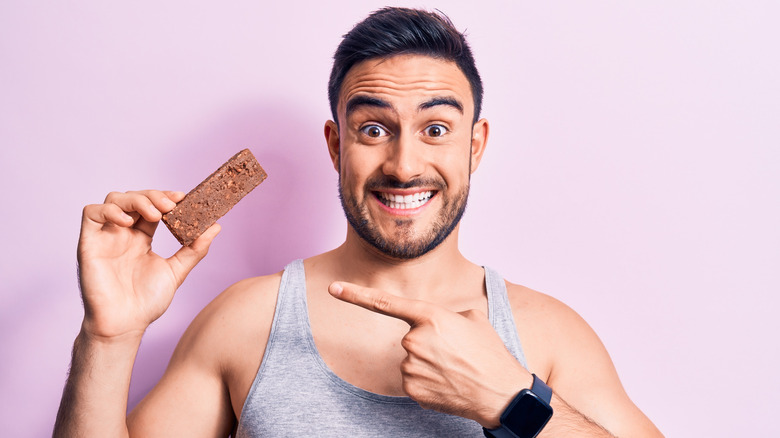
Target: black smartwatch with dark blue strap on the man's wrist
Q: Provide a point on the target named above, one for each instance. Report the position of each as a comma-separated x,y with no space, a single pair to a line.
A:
526,415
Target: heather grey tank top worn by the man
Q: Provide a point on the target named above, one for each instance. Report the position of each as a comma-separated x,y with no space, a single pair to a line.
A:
295,393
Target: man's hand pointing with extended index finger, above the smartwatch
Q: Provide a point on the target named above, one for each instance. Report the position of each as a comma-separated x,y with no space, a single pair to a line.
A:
456,363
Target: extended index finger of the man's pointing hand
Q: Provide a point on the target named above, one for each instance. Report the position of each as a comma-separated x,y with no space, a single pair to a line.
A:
413,312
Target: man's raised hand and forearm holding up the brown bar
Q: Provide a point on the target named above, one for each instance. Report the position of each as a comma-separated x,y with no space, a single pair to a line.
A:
125,287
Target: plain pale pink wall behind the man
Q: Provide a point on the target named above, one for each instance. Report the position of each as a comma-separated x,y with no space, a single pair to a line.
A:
632,172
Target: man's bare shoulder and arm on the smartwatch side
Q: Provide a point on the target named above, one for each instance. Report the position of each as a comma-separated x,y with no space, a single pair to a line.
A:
588,396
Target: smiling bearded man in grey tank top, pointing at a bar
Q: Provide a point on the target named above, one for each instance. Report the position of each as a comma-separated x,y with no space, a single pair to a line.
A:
393,333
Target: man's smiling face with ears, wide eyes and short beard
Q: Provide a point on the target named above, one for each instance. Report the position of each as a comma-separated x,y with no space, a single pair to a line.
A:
404,151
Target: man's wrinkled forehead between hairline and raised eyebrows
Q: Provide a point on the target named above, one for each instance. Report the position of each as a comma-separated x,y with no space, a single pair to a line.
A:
406,79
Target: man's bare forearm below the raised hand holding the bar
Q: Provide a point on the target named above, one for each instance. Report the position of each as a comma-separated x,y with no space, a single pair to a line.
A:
94,401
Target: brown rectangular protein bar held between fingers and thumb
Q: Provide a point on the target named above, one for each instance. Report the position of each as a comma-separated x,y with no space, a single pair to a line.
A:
214,197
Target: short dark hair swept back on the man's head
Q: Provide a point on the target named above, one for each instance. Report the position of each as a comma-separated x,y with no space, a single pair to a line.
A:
395,31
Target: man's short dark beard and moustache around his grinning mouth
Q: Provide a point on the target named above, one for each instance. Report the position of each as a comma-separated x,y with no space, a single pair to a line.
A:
404,244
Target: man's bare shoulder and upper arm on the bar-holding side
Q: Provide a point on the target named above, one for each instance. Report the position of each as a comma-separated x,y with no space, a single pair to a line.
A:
204,387
